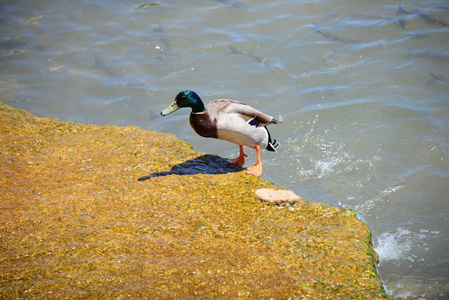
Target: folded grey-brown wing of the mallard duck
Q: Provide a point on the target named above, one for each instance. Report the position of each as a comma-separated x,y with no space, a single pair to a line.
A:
247,112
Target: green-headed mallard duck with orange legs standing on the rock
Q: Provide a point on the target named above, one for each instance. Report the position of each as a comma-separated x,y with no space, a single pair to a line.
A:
229,120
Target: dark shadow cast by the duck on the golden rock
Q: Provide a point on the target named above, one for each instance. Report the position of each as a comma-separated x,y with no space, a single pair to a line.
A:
206,164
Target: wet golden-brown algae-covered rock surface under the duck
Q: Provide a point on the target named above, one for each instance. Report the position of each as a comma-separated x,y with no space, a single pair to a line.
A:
119,212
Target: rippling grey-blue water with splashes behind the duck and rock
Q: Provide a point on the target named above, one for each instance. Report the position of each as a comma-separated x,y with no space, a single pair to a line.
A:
365,101
